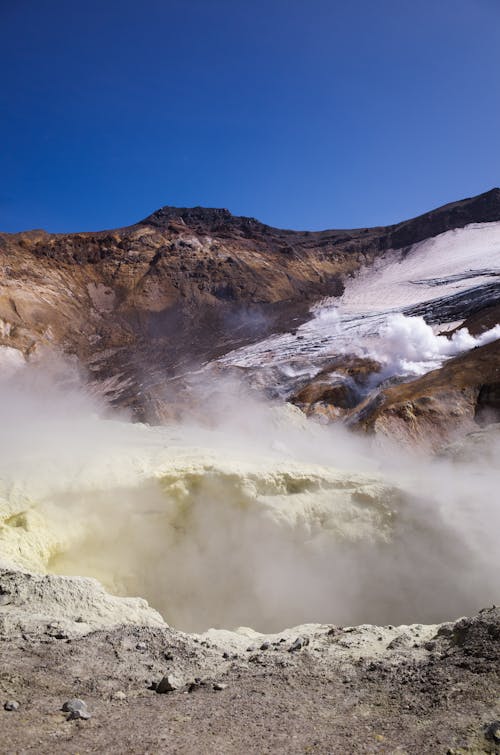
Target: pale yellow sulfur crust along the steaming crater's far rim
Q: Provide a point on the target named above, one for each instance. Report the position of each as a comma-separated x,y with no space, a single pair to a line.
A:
308,498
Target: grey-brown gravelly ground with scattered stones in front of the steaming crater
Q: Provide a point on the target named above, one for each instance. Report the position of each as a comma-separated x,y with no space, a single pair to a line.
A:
128,683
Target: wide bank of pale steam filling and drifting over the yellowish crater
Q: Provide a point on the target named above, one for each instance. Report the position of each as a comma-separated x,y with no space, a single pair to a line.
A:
250,515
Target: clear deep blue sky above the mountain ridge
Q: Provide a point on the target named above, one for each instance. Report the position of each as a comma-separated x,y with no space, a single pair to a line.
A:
302,113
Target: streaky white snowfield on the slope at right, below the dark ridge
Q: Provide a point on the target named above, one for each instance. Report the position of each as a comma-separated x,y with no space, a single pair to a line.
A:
363,318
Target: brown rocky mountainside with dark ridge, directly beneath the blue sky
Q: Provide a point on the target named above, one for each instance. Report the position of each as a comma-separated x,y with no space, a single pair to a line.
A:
140,304
